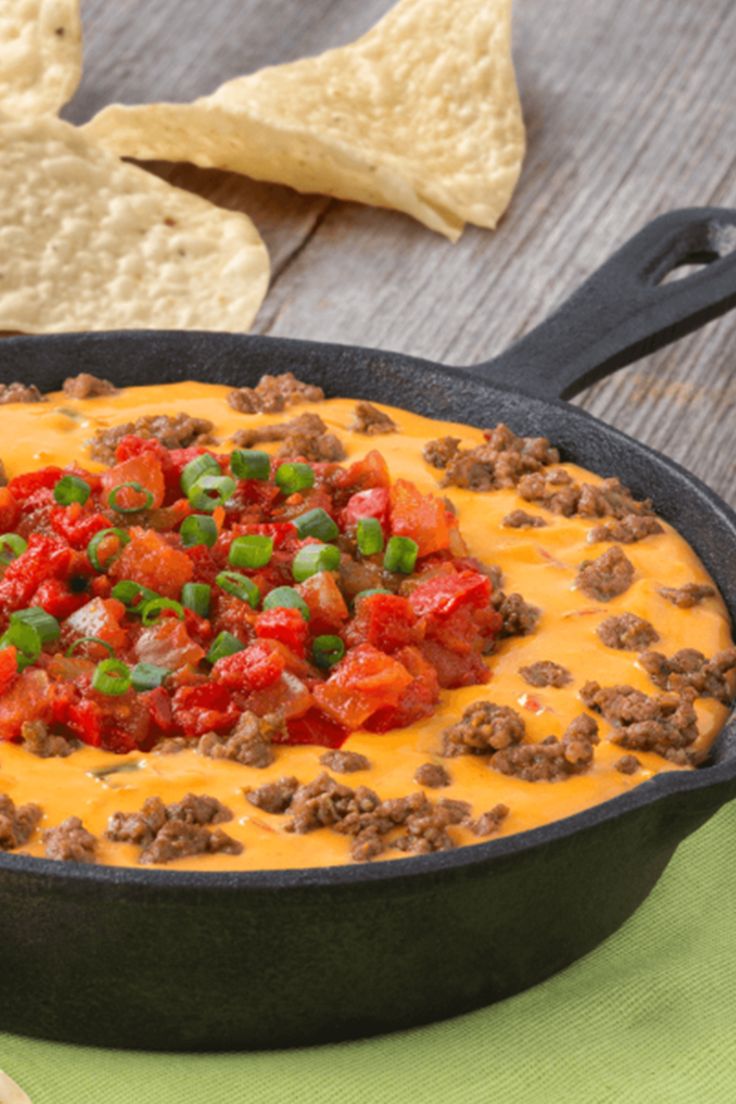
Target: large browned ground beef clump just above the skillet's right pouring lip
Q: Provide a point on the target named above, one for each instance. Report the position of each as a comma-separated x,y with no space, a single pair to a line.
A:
665,724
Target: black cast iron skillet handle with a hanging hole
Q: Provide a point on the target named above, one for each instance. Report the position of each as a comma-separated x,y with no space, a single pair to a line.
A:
625,312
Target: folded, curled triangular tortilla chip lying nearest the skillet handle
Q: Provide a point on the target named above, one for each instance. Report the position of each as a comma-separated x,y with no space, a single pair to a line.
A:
422,114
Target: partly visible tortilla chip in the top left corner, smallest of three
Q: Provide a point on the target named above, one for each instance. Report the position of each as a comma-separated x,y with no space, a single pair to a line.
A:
40,56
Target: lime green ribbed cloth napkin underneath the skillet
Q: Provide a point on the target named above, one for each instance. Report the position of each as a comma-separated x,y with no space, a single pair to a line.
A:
649,1017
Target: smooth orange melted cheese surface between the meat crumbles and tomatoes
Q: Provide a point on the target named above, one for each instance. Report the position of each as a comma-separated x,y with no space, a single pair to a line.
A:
539,564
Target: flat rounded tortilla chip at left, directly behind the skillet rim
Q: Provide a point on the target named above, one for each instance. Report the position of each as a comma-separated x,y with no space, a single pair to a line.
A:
91,243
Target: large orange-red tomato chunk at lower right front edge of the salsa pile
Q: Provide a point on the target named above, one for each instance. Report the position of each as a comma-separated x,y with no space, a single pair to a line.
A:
362,683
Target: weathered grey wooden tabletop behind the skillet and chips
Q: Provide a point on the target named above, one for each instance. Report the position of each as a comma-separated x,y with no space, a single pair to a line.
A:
631,112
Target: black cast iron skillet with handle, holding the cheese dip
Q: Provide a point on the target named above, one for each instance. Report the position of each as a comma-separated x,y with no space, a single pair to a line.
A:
196,961
